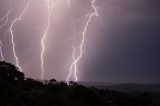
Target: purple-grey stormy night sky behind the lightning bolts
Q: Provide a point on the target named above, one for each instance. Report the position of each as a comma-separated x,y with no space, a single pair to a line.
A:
122,45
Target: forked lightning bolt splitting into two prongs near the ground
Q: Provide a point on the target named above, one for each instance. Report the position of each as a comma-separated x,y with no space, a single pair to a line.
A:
76,59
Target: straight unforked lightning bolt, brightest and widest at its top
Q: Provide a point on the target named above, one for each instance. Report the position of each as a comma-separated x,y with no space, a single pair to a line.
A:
50,6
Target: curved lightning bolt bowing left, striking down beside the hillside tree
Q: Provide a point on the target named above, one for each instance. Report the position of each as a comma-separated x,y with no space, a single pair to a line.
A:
12,35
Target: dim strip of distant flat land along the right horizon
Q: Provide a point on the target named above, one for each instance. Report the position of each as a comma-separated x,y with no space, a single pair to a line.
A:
124,87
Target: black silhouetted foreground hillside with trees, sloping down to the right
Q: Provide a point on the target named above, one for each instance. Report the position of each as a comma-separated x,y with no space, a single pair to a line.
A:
16,90
